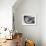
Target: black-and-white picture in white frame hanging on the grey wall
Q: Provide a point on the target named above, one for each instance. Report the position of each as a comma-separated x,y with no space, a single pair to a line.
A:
28,20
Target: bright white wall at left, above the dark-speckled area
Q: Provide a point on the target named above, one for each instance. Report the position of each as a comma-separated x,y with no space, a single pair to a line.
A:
6,13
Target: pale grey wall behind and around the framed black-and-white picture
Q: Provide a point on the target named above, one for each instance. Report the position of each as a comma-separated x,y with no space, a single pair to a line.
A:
32,32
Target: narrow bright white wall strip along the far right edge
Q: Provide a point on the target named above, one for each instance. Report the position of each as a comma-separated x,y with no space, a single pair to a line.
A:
43,22
